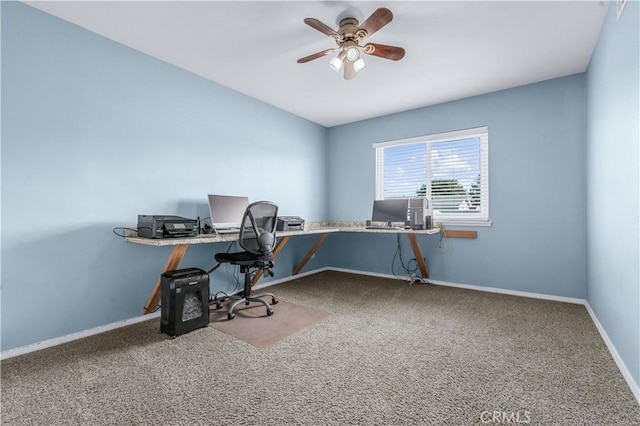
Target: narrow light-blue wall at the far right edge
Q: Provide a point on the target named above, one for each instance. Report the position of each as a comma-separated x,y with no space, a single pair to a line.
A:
613,203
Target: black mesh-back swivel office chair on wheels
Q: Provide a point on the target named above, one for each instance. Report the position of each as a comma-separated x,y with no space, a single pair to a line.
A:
258,239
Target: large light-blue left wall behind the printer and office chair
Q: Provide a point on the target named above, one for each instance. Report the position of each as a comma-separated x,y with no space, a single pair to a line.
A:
94,134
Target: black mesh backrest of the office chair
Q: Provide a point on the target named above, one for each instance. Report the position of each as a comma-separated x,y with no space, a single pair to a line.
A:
258,231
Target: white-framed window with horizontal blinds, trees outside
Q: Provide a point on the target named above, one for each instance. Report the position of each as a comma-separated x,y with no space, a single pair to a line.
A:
451,169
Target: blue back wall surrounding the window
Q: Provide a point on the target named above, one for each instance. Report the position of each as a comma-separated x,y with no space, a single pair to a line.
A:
536,188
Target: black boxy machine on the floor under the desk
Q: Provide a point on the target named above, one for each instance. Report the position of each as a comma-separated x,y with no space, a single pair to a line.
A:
185,301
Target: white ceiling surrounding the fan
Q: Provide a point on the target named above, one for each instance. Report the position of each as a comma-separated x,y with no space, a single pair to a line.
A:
454,49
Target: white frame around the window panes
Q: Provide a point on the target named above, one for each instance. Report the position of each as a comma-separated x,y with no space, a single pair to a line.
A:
474,219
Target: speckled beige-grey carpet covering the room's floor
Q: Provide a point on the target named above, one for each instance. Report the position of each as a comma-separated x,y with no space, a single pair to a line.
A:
389,354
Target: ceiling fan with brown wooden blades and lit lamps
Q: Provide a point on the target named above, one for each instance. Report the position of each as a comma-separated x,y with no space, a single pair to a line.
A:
349,37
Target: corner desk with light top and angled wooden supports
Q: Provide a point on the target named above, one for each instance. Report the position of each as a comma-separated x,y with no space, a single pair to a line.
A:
180,246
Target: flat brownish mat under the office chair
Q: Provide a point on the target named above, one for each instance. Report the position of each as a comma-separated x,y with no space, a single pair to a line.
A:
253,326
